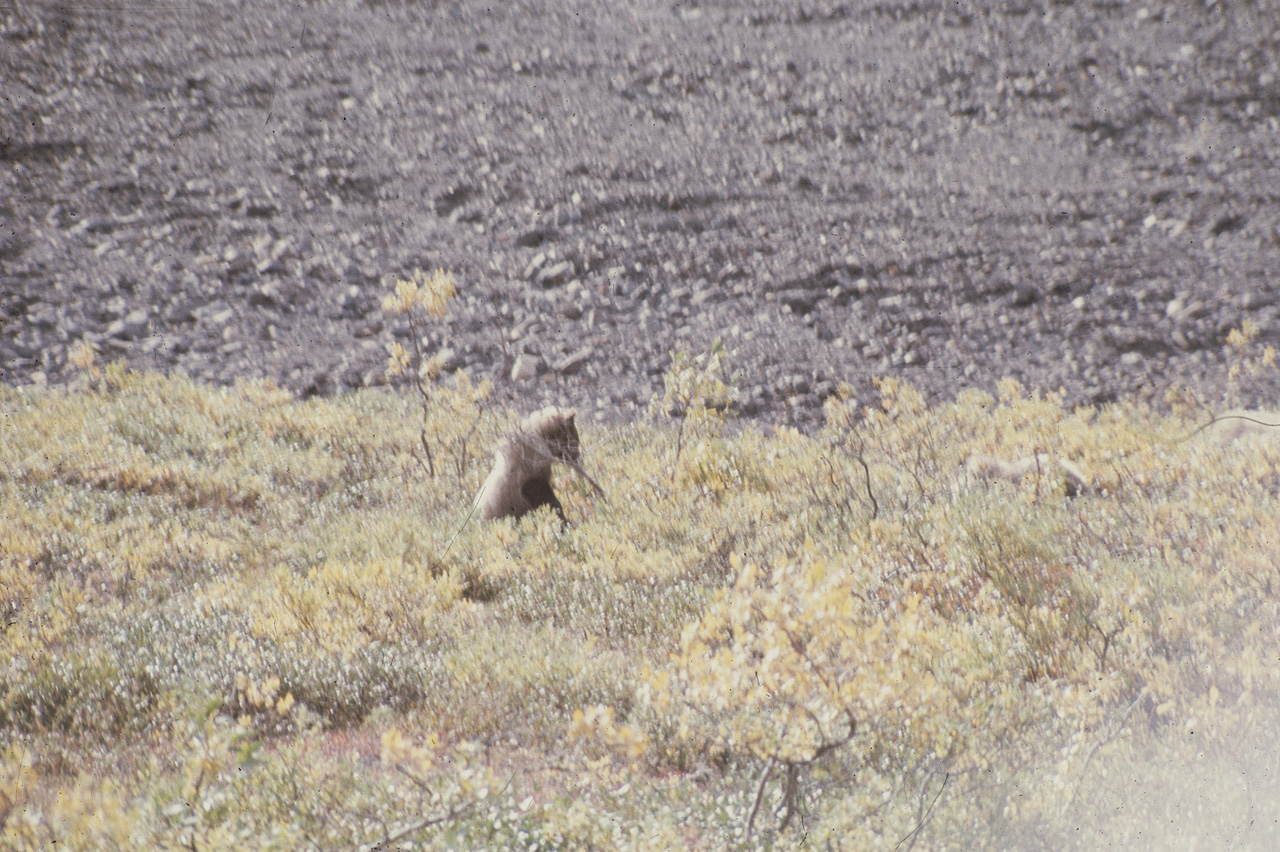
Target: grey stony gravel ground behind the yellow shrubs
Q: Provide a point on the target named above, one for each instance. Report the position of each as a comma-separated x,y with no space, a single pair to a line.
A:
1078,195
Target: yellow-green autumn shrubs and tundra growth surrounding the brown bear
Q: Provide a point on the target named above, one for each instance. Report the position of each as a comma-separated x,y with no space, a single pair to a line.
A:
234,620
